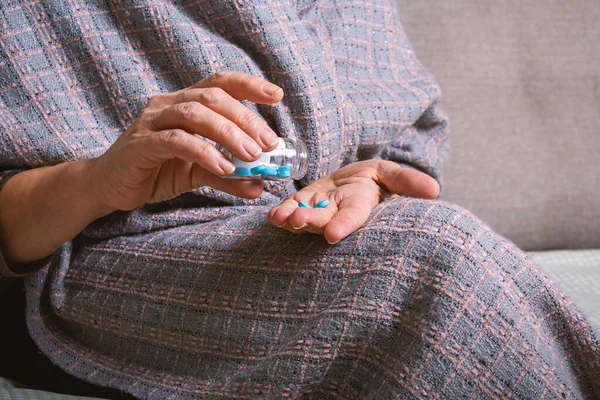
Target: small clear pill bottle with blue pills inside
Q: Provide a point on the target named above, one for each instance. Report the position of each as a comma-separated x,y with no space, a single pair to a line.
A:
288,160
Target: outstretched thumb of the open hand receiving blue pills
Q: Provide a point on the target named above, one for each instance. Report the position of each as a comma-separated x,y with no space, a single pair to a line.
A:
406,181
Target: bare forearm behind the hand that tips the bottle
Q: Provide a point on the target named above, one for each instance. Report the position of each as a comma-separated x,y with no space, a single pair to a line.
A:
43,208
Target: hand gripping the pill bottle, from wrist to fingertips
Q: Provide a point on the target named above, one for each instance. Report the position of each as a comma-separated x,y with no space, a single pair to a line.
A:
163,154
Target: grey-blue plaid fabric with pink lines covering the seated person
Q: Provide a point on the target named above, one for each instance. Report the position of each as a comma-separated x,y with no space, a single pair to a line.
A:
199,297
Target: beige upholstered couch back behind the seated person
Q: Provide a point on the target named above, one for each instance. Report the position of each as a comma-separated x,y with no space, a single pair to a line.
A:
521,83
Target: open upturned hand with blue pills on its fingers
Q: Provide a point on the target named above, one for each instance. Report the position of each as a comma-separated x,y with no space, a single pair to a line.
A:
353,191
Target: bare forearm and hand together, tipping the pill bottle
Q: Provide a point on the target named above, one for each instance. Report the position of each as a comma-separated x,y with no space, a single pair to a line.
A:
159,157
